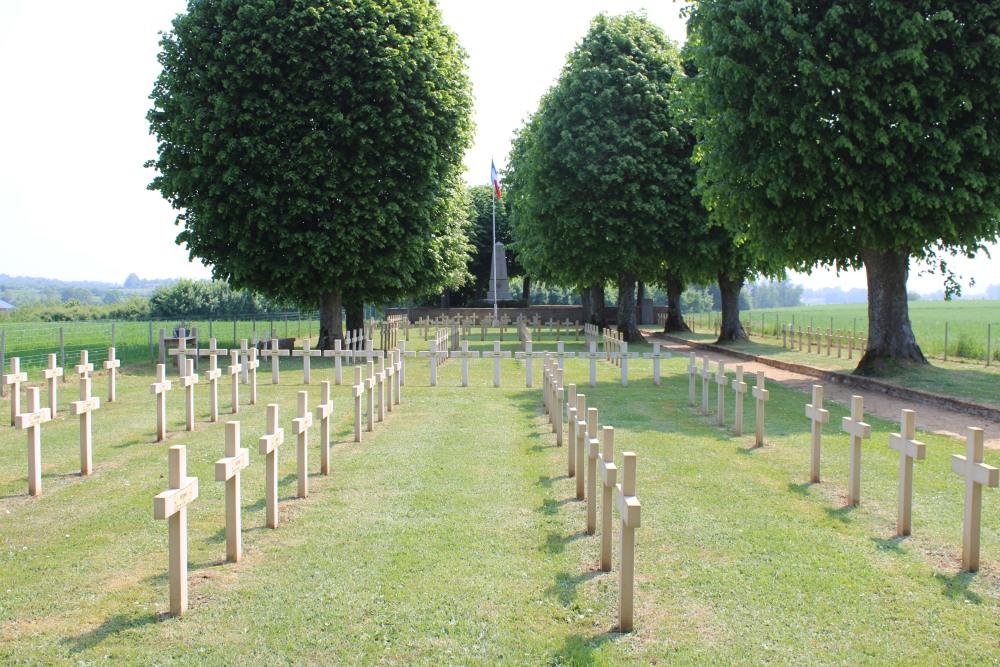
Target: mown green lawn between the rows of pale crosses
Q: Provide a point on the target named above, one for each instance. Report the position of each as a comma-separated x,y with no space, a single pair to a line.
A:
450,536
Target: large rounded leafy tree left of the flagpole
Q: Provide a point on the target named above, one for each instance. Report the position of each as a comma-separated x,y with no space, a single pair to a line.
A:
314,147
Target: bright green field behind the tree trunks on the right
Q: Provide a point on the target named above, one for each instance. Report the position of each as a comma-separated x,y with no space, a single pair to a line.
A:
973,327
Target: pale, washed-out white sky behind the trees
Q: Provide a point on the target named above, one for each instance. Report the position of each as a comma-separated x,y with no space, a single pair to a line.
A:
76,78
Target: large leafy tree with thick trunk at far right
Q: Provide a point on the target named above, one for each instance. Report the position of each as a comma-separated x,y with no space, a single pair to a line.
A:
852,134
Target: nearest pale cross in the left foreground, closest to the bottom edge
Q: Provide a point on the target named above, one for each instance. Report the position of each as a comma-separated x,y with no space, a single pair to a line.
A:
172,505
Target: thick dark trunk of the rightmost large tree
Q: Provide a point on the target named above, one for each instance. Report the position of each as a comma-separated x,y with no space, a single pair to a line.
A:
890,337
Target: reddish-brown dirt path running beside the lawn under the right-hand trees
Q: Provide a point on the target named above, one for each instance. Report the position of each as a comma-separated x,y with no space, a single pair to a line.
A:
929,417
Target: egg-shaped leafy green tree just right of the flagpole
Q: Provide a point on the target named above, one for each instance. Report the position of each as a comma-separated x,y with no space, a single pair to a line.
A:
597,173
